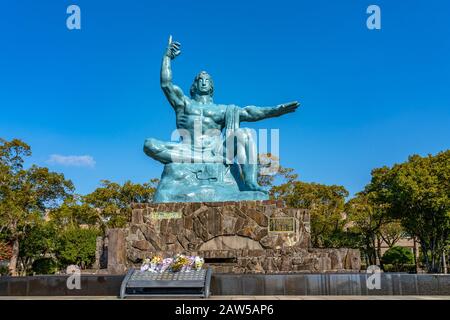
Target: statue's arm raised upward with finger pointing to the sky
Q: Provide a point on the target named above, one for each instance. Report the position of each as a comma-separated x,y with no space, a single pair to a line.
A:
173,93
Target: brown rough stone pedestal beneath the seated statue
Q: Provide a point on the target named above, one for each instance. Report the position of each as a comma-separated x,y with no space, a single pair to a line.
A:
238,237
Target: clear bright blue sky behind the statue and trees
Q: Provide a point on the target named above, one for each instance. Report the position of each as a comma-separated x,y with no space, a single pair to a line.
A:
368,97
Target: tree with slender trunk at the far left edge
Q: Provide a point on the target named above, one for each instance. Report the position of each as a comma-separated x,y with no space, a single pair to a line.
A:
25,194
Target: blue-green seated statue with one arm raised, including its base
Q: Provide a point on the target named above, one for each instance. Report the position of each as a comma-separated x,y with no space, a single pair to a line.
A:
215,159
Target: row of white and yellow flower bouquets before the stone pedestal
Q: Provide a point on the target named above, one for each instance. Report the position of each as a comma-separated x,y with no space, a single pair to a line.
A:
178,263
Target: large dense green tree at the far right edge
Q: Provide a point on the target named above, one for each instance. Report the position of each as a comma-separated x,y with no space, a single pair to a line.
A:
417,193
